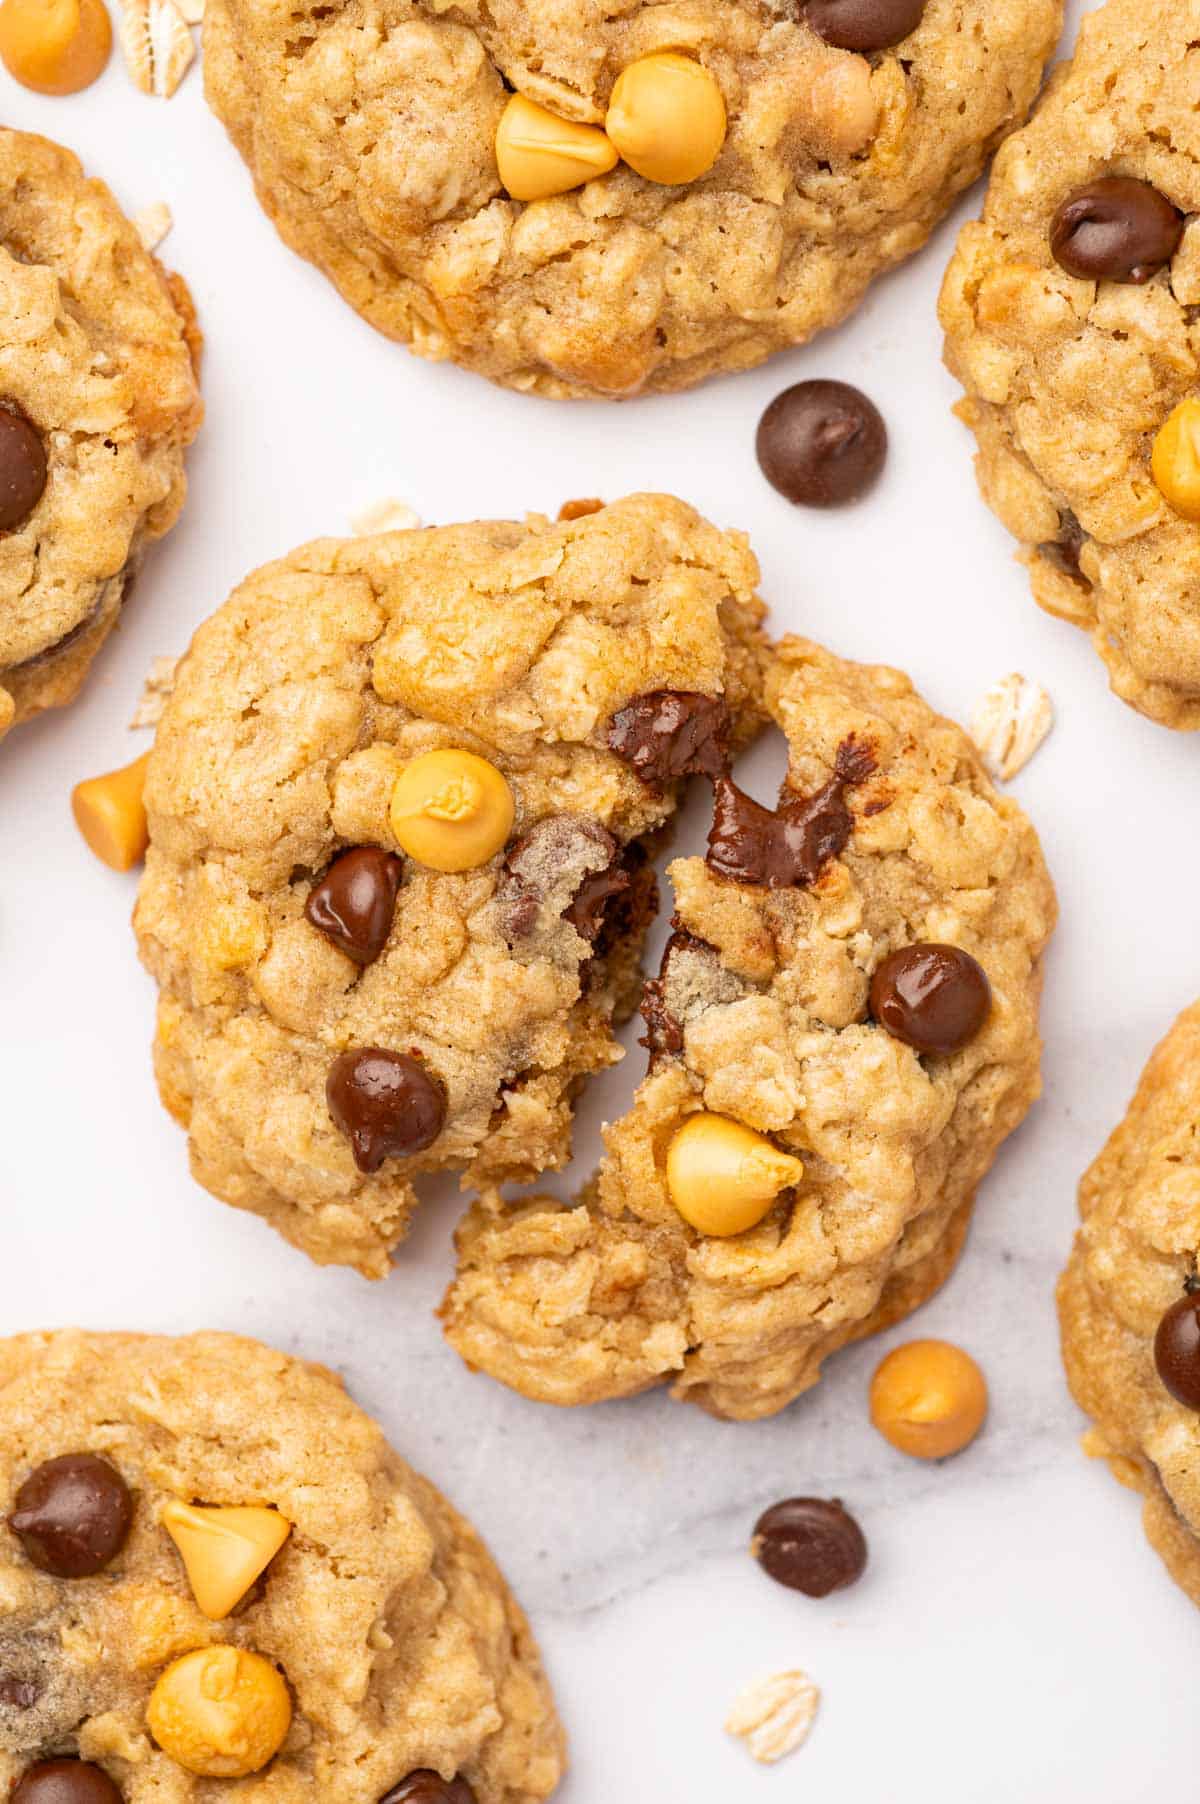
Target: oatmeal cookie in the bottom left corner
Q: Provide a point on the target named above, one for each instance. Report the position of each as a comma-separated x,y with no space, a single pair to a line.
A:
221,1581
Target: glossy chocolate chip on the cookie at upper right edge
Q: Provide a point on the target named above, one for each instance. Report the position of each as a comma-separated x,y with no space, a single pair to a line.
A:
1116,230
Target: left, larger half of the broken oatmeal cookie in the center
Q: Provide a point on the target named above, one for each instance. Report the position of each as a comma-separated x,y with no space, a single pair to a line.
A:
398,879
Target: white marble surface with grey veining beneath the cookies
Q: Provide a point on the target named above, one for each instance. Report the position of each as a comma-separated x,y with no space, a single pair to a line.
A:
1013,1637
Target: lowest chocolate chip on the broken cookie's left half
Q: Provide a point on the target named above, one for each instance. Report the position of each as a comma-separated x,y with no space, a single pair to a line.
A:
385,1103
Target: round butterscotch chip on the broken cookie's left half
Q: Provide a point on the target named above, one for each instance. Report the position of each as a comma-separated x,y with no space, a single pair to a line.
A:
452,811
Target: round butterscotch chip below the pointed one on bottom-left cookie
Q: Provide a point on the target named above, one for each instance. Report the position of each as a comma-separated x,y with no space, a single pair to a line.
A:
221,1713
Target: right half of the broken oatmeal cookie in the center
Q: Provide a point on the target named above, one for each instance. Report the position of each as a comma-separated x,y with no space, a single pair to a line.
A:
844,1033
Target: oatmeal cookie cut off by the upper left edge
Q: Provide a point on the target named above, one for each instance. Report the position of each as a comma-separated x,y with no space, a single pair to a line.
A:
98,403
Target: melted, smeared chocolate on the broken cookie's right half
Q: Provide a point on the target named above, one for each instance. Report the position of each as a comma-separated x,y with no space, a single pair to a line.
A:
791,845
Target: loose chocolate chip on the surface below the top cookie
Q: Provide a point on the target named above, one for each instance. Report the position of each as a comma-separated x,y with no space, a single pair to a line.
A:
822,445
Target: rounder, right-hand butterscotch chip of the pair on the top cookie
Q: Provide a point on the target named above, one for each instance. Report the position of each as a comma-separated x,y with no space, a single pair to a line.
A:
669,118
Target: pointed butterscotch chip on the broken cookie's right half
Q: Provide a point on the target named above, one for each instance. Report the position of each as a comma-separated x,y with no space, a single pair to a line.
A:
725,1177
